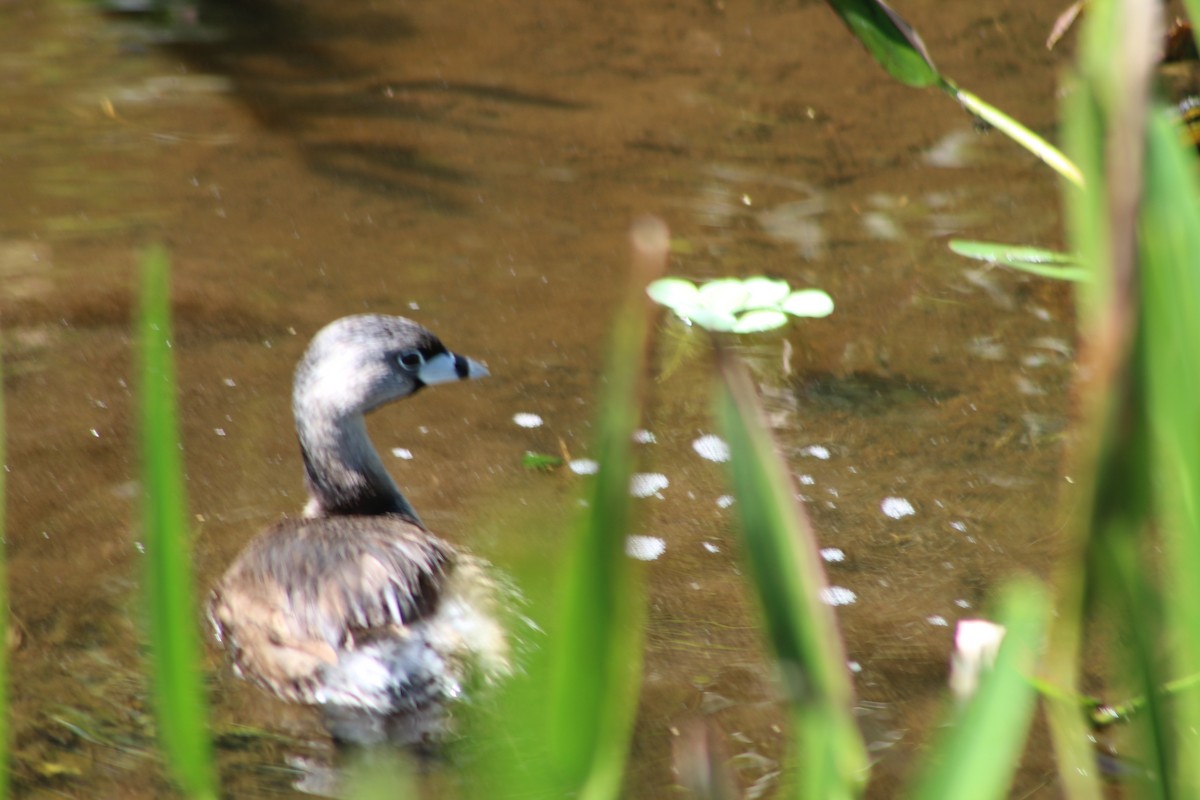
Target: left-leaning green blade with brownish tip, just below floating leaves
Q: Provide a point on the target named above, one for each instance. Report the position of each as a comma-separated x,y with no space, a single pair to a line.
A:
789,579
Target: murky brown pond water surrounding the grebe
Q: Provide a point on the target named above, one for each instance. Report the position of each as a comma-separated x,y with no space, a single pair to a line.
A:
476,166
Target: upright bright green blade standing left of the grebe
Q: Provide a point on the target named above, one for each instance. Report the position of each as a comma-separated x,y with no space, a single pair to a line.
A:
175,643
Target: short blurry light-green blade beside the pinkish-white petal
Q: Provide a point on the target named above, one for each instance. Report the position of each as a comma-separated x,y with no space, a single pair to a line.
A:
975,757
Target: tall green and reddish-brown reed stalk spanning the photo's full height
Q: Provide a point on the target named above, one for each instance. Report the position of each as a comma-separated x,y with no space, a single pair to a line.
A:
1103,123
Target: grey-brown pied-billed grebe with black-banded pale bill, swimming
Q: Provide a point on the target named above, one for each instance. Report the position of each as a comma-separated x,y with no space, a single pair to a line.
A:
357,607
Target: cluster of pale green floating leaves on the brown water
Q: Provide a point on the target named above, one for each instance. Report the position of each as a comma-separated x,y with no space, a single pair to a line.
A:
736,306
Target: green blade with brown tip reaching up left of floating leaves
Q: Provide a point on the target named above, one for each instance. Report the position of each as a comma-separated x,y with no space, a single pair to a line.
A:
597,648
